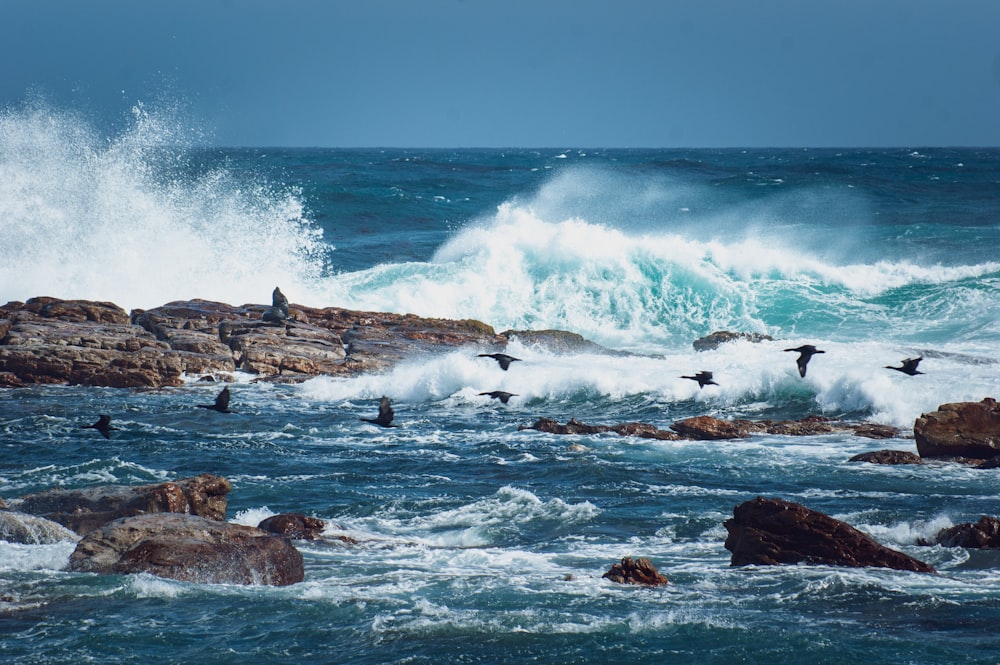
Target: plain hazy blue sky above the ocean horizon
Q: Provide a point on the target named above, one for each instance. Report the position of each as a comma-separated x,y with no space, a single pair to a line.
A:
521,73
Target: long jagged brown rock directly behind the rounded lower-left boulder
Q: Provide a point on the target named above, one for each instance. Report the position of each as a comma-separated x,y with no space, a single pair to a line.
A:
83,510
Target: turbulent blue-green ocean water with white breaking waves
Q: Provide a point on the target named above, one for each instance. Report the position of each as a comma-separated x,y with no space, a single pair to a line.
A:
478,542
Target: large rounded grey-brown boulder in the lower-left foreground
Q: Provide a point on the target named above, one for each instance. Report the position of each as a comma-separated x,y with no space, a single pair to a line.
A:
190,549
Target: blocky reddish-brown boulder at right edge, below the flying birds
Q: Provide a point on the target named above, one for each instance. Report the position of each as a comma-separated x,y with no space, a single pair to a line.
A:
961,429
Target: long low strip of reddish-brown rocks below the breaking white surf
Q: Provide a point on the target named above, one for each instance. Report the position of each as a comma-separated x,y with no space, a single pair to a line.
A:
708,428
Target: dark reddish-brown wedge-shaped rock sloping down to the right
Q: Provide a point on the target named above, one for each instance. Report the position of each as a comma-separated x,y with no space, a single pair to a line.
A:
773,531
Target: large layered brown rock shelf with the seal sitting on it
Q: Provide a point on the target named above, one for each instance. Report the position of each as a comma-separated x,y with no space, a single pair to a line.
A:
47,340
